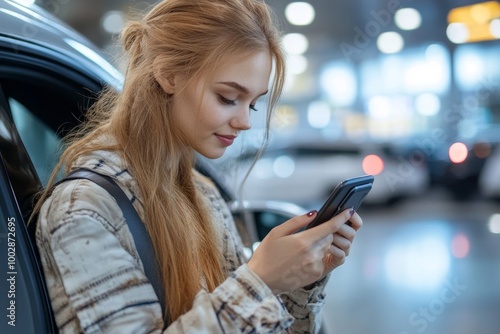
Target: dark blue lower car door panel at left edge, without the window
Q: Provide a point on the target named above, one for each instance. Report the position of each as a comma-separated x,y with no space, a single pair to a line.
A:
24,301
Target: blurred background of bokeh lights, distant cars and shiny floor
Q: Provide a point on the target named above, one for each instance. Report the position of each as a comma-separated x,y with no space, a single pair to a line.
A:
408,91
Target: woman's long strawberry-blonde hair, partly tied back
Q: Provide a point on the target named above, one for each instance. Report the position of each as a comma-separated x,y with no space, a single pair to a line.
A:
187,37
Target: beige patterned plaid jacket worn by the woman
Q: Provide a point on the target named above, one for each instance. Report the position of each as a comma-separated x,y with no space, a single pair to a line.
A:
97,283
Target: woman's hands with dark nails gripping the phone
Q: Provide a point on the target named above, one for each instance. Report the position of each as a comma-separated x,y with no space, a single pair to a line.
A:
286,260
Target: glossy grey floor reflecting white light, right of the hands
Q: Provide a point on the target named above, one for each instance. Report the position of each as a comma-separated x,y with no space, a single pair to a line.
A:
428,265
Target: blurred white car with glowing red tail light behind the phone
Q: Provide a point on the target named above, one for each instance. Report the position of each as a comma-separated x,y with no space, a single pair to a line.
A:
306,172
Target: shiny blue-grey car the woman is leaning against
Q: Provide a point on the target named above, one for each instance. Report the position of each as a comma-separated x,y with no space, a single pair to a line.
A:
49,75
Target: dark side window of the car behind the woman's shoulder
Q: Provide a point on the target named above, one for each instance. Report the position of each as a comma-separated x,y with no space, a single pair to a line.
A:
45,106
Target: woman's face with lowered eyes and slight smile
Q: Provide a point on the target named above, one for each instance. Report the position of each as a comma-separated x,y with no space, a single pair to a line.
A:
211,112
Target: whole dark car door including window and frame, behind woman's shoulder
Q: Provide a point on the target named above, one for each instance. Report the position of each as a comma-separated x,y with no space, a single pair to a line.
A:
43,94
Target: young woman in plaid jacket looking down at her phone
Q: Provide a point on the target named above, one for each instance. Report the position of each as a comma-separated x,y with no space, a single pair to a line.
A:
195,73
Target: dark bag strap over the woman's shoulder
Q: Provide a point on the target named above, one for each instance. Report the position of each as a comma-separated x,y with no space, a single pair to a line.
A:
136,226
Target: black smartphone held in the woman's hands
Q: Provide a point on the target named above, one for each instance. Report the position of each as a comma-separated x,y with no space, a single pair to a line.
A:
349,193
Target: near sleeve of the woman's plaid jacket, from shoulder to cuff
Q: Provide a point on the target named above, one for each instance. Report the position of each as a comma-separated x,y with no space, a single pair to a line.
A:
97,284
